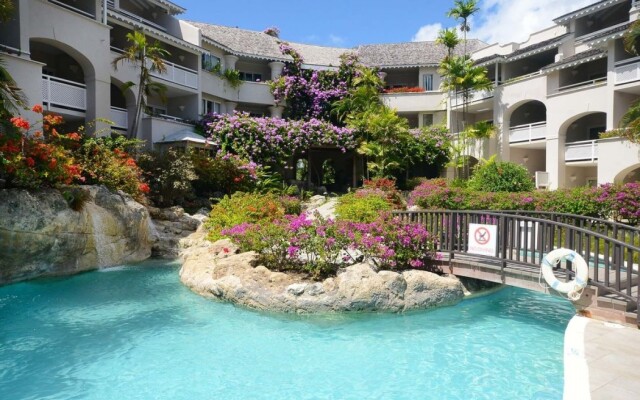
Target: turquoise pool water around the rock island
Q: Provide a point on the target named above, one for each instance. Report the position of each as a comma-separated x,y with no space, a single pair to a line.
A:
136,333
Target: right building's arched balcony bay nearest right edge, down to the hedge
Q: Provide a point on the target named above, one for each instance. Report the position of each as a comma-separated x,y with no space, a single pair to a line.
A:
581,148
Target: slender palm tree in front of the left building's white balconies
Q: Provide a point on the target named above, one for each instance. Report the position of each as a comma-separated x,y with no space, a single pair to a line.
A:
148,57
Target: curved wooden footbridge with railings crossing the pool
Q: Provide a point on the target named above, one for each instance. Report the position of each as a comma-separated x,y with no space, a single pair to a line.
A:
611,250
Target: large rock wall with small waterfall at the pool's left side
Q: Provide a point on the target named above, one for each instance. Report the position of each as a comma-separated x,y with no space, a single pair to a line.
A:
41,235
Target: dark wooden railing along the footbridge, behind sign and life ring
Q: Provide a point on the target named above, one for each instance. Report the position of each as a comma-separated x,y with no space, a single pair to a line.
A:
611,250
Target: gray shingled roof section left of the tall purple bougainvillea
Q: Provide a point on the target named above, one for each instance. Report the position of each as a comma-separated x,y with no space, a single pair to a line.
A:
242,42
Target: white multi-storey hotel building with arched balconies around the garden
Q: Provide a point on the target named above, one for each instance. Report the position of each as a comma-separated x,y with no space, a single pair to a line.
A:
552,95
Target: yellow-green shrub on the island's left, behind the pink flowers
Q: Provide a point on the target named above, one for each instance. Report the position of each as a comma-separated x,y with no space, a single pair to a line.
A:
243,207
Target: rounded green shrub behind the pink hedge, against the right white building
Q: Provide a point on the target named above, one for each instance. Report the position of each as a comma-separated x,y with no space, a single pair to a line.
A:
501,176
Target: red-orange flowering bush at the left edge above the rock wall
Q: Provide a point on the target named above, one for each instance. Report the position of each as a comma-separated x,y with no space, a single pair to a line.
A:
32,157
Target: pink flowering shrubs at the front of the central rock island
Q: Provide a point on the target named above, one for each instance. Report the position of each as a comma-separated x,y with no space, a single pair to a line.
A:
320,246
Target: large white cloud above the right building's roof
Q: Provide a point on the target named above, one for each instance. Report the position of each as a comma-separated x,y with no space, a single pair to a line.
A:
506,21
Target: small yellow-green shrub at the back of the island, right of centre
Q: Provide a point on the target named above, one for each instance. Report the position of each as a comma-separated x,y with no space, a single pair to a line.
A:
364,205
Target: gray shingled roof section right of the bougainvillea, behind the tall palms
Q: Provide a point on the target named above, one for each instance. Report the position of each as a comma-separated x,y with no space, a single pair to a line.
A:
410,54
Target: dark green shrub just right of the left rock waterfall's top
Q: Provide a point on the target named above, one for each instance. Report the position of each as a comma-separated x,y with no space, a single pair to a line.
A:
169,174
